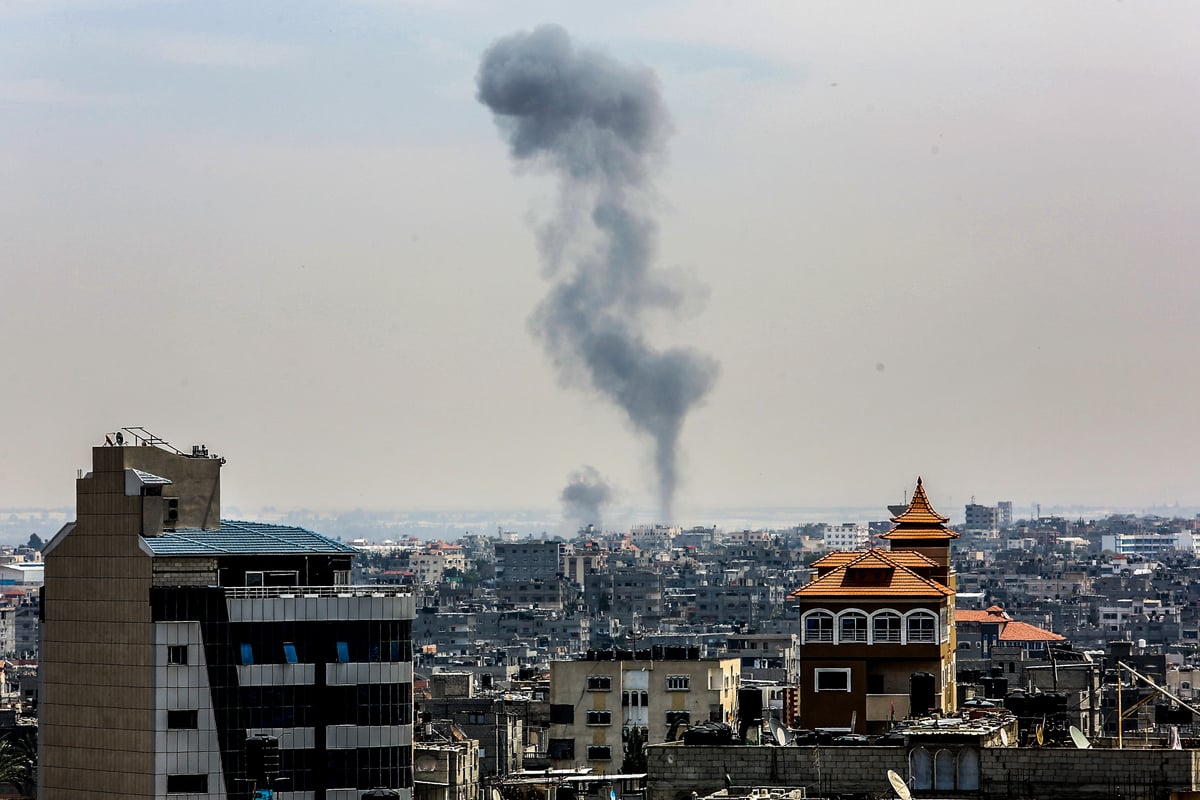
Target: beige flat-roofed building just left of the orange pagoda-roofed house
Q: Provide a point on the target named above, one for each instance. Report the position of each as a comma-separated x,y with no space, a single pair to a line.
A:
596,702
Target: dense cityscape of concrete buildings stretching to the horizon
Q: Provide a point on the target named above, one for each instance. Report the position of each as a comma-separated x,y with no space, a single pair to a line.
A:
185,655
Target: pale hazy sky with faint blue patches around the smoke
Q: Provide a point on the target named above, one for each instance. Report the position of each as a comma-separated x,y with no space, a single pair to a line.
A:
940,239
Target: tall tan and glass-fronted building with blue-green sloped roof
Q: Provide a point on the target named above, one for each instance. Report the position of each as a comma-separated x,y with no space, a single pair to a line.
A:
184,655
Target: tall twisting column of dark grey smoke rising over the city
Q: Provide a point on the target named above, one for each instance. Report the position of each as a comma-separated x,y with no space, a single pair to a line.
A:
601,127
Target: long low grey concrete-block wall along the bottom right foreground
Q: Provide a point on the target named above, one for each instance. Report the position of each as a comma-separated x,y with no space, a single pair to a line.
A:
677,771
